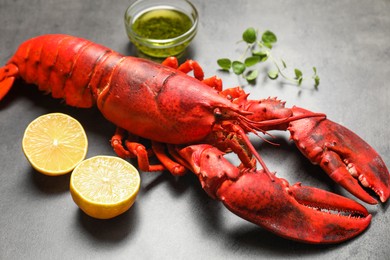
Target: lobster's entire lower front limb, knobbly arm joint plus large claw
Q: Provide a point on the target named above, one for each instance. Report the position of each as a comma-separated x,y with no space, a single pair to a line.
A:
296,212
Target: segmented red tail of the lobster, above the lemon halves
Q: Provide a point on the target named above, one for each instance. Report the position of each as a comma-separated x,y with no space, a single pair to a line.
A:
67,66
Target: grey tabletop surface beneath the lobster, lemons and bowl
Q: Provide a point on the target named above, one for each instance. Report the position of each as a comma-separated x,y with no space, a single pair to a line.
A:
348,42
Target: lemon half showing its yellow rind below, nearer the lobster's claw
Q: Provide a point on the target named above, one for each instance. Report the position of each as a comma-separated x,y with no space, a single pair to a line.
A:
104,186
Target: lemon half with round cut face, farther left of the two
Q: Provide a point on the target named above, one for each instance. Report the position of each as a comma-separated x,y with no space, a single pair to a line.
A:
54,143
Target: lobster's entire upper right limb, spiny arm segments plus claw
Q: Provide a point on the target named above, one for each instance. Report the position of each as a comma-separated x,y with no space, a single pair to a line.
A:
343,155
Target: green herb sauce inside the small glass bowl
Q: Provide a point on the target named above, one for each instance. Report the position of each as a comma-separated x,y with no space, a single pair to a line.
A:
162,24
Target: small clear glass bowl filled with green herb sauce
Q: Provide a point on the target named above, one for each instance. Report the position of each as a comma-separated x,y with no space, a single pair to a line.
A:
161,28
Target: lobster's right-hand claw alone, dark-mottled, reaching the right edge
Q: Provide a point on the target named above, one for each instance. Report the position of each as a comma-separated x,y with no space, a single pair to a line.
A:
343,155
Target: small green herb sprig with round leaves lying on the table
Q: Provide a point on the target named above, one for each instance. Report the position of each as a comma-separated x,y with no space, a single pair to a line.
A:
258,51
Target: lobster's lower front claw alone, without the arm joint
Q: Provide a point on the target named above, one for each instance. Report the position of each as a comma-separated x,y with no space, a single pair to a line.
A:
296,212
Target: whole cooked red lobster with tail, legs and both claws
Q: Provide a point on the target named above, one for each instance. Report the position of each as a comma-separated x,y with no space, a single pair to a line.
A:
191,123
